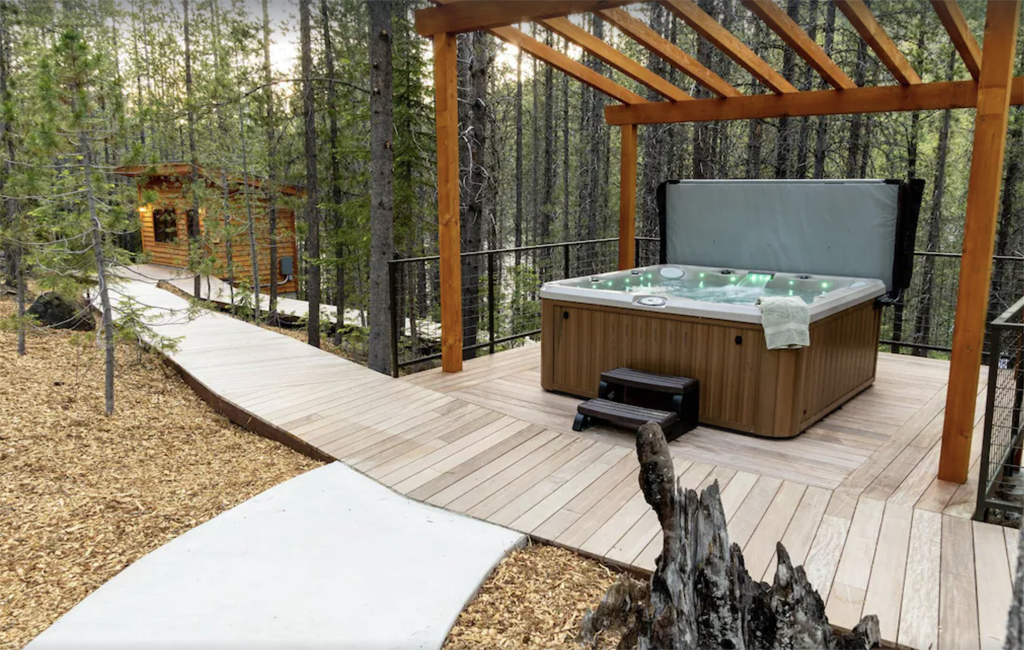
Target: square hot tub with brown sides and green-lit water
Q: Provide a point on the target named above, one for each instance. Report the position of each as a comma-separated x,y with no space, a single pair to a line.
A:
703,323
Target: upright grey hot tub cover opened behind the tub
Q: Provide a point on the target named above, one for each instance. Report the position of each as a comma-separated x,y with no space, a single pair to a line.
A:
852,228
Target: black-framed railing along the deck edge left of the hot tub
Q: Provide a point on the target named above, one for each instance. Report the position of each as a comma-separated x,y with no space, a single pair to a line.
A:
501,307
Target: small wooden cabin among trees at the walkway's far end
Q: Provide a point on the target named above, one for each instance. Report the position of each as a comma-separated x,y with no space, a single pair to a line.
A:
168,222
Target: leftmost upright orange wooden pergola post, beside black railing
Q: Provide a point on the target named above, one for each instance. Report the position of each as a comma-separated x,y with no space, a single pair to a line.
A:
447,108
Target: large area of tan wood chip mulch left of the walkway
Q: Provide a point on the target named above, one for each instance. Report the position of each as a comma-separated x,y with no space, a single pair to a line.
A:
84,496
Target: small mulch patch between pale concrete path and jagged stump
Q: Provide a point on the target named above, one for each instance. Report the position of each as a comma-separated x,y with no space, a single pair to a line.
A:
535,600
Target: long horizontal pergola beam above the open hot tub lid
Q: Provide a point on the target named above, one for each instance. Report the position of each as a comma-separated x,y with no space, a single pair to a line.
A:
935,97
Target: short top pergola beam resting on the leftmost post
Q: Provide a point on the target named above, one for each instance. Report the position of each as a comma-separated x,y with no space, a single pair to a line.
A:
474,16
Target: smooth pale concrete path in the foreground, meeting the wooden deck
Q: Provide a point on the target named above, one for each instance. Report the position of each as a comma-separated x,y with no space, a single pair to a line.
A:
330,559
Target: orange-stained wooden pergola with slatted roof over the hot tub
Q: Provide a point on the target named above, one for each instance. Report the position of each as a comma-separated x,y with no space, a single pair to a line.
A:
992,92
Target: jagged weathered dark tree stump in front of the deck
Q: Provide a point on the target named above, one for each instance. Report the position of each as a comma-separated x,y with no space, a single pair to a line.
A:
701,596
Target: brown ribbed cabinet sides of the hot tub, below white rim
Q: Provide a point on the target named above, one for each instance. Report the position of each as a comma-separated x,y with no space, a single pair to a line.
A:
744,386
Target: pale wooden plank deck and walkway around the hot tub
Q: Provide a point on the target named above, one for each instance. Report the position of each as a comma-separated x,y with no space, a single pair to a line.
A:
856,499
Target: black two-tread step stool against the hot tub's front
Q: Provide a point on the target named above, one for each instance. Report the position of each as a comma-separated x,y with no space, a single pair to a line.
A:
630,399
